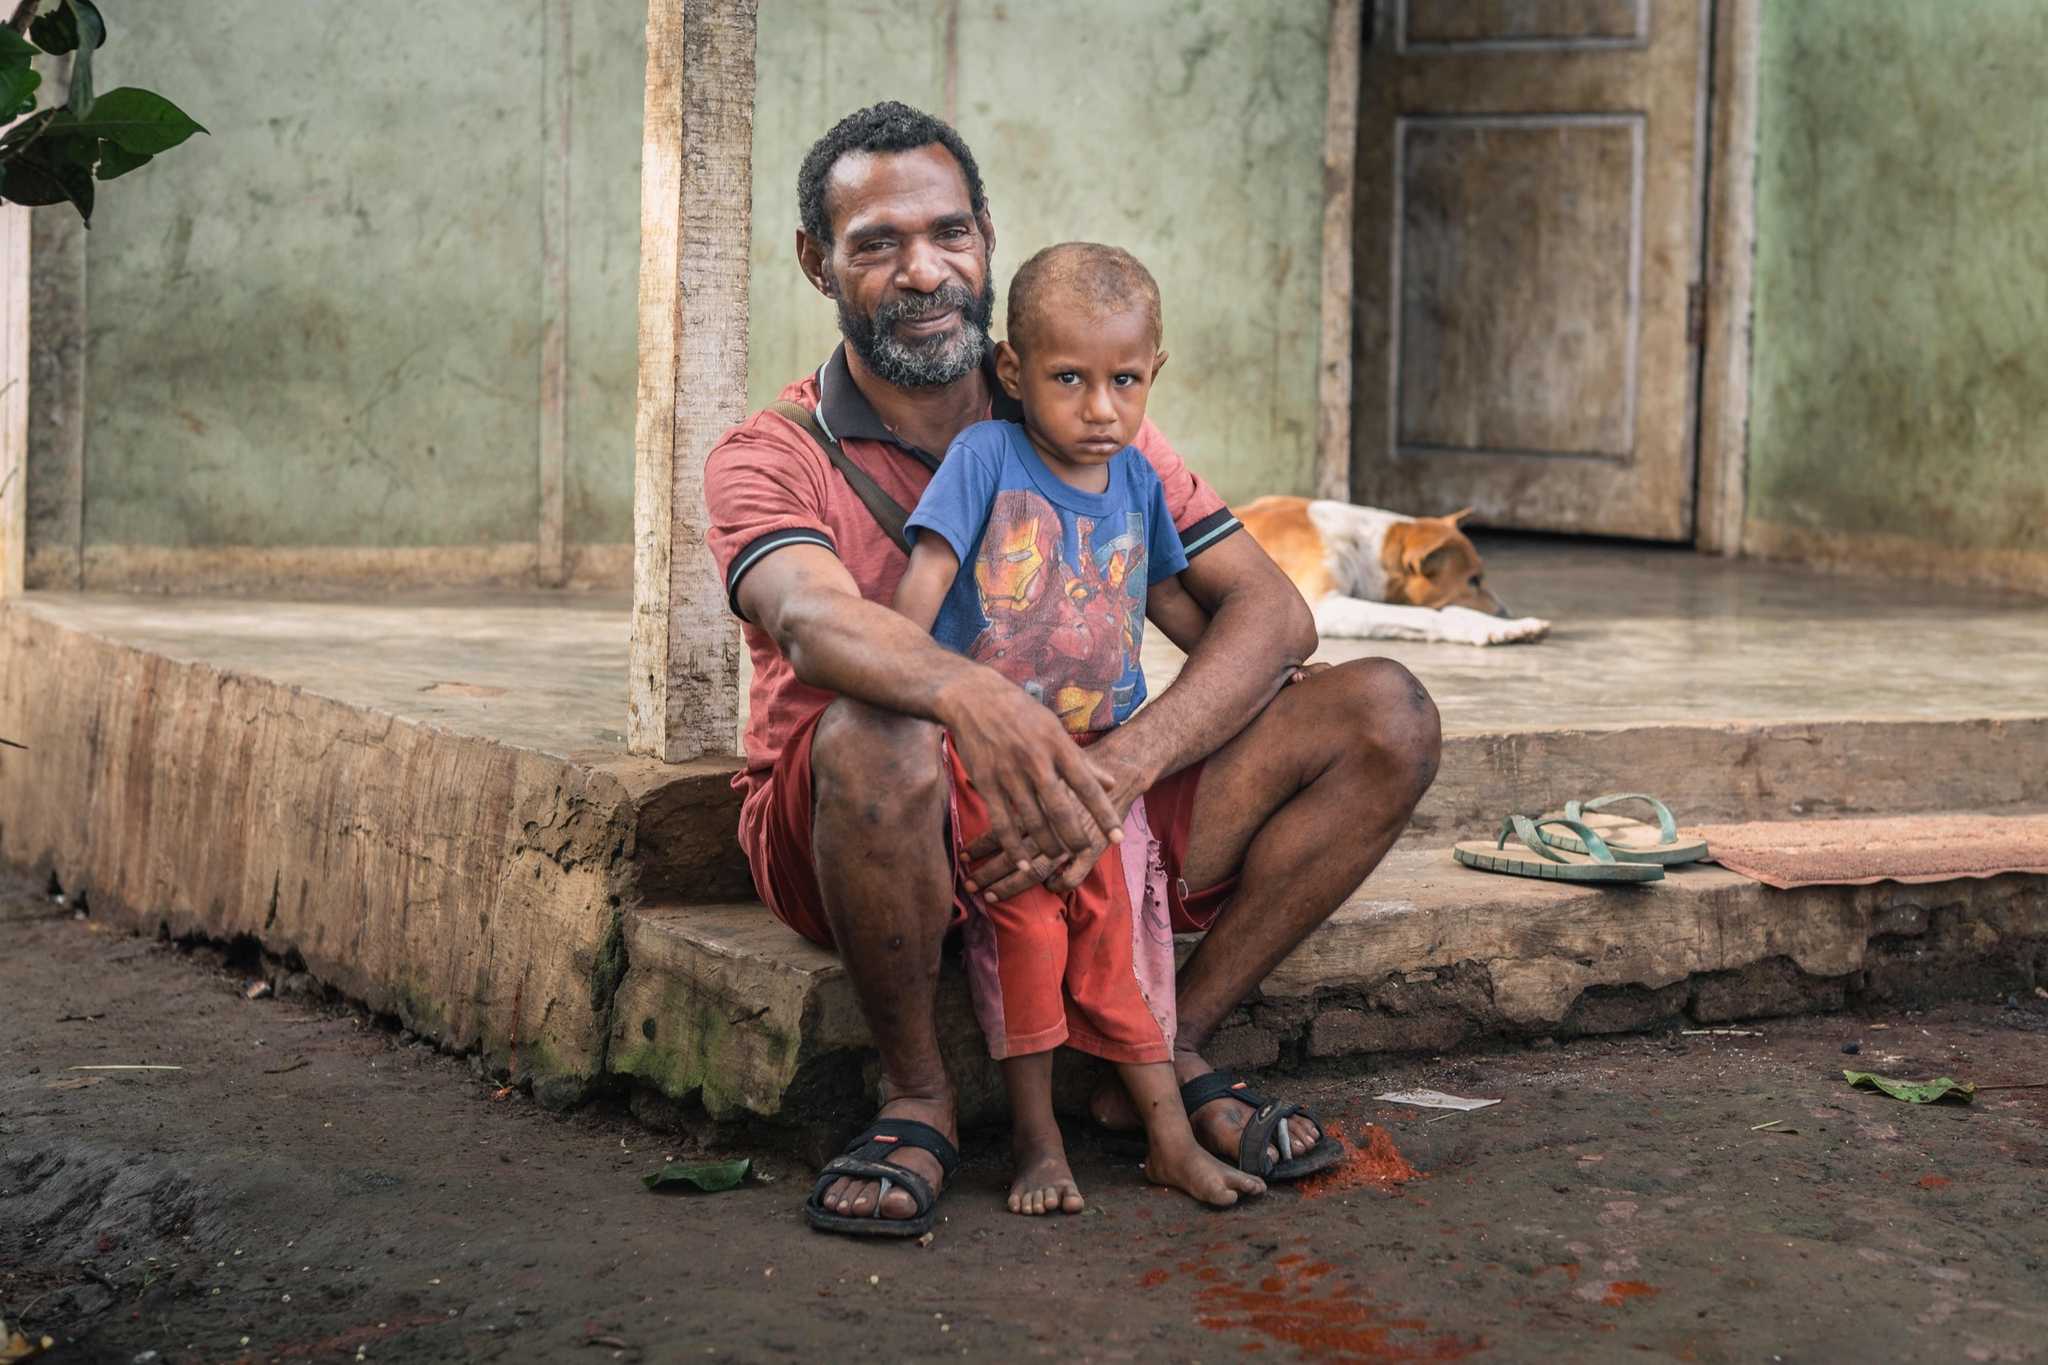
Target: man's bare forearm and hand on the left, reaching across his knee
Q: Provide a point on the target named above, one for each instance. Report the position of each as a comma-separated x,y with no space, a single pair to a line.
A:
1043,795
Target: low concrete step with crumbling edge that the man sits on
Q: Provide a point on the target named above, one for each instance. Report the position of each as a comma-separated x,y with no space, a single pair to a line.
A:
722,1004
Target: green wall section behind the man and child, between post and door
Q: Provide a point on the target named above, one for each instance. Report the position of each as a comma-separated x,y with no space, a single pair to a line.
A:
1189,132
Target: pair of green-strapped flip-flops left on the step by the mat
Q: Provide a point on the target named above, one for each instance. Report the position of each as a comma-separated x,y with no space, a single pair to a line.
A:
1586,844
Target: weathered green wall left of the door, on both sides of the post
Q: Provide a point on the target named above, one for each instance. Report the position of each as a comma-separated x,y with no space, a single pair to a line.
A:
321,326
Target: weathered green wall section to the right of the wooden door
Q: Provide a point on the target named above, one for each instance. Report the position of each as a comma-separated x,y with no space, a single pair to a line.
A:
1902,382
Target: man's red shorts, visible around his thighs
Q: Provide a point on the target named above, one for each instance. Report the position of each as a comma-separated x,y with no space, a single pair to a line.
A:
787,881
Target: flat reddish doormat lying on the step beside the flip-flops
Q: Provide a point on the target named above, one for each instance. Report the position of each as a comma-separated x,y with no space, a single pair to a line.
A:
1906,848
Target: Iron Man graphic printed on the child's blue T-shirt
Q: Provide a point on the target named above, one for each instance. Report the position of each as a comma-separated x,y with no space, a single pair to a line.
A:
1066,633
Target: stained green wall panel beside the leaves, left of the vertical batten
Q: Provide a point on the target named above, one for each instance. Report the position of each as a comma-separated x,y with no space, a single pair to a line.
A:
321,324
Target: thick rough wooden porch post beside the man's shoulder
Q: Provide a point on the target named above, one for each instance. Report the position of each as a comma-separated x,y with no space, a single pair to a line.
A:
697,187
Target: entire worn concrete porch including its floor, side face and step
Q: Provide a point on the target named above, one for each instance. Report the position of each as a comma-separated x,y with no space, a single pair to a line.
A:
429,801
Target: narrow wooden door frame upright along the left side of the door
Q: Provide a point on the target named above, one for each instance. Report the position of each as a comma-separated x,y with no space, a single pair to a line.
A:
1340,175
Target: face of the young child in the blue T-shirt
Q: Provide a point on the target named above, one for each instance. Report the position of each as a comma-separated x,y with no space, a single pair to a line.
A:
1084,384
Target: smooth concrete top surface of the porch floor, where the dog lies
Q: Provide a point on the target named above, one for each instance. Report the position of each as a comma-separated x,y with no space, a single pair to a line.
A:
1644,637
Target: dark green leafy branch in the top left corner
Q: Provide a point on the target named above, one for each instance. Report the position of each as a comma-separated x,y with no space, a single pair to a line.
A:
54,157
